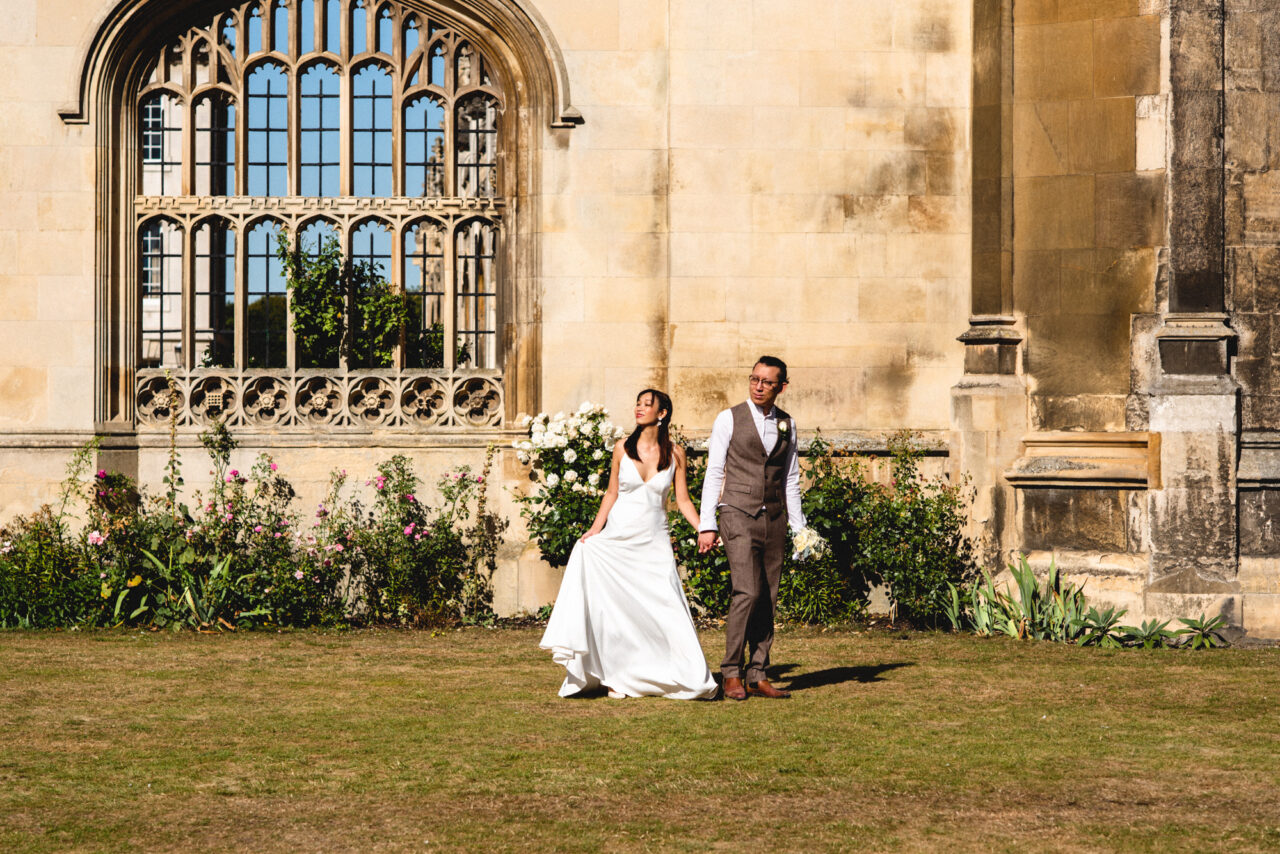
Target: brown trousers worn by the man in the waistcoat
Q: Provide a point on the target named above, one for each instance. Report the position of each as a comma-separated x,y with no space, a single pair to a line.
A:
755,547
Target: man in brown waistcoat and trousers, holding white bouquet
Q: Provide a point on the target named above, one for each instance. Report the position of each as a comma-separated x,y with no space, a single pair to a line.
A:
753,478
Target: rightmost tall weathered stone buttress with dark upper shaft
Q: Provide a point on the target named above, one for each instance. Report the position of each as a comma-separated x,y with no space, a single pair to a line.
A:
1194,401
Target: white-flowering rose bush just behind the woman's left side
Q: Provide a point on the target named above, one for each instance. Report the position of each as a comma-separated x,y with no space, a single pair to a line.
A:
569,458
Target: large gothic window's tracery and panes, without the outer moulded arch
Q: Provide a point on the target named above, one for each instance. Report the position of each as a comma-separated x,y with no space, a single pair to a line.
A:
348,121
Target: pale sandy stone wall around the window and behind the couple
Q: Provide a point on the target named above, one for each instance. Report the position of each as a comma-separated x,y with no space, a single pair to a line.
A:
749,177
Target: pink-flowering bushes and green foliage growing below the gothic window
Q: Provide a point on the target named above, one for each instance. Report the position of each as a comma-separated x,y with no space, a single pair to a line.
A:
241,556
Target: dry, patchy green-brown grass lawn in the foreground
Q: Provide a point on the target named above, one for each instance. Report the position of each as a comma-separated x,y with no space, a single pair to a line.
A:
386,741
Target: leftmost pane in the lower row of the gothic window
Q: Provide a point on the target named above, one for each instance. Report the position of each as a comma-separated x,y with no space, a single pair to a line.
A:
161,290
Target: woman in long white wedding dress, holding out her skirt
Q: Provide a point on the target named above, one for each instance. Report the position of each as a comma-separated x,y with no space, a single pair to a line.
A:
621,619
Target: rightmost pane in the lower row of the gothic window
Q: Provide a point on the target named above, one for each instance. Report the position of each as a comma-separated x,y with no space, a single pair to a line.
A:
477,298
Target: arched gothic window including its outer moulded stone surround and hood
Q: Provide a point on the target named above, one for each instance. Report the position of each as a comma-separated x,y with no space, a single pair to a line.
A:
399,181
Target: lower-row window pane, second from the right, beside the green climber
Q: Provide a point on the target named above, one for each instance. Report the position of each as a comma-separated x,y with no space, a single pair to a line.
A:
424,287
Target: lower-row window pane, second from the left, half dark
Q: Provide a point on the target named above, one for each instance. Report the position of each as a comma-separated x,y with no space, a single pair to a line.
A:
214,293
